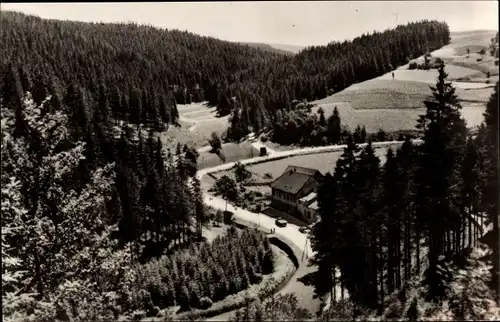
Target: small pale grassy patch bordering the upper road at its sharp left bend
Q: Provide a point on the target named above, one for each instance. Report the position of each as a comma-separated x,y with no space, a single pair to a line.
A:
231,151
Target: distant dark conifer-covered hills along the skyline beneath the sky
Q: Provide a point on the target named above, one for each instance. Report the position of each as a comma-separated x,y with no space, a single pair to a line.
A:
144,71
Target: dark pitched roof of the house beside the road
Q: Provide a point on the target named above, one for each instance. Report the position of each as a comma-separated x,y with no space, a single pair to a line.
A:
294,178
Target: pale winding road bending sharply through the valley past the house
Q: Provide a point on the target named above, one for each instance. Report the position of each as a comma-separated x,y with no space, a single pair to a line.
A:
291,231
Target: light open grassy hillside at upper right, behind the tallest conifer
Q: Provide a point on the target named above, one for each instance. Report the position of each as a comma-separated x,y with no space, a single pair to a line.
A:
391,105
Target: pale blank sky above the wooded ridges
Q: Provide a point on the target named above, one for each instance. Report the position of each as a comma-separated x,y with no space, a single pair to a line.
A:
299,23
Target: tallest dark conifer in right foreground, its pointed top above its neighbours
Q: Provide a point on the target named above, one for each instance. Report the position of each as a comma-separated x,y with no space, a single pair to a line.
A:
444,131
